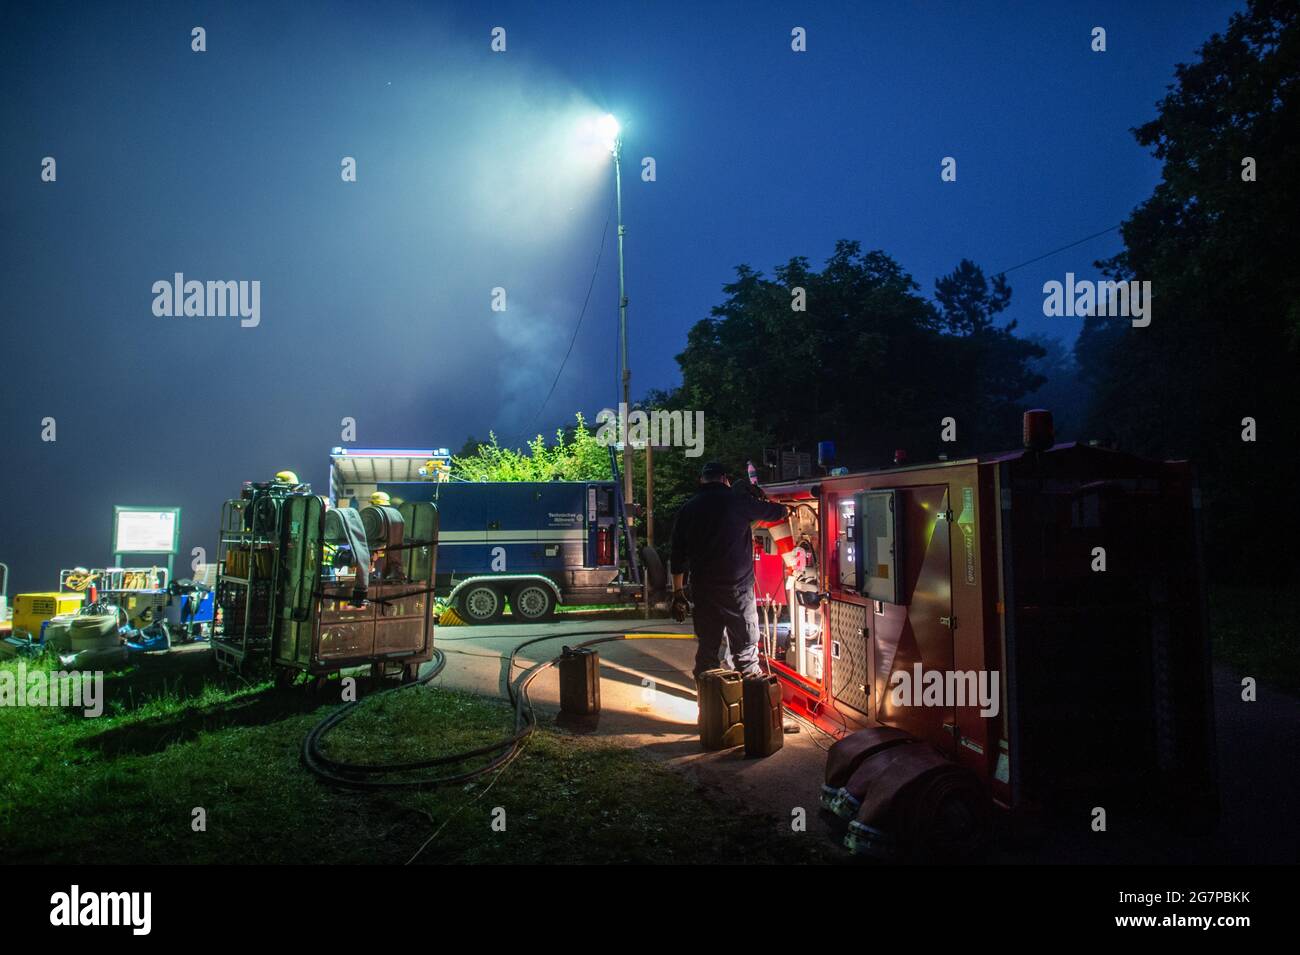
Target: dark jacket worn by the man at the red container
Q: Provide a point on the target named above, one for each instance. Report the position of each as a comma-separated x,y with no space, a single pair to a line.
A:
713,540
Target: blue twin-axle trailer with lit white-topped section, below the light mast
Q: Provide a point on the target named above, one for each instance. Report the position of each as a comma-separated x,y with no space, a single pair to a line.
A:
531,545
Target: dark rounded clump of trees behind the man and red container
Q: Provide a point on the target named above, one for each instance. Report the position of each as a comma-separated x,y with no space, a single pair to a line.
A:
870,363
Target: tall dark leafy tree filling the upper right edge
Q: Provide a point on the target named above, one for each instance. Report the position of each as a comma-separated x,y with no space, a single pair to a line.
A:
1217,241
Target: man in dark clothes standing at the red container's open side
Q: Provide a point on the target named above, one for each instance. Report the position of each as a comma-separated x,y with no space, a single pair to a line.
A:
713,542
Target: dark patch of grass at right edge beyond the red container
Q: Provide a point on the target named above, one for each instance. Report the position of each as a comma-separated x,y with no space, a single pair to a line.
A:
1254,633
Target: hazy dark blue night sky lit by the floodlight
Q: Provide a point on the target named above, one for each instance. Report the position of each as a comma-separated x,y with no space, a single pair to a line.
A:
375,296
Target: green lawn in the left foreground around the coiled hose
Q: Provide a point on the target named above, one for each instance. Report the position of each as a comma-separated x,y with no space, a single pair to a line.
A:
176,736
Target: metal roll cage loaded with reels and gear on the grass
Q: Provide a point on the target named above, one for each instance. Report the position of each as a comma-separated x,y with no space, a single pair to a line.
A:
314,588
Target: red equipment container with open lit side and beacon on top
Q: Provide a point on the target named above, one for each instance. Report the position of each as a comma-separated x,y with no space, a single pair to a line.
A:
1065,579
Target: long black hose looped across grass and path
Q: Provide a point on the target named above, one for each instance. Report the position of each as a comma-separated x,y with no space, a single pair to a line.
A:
354,775
